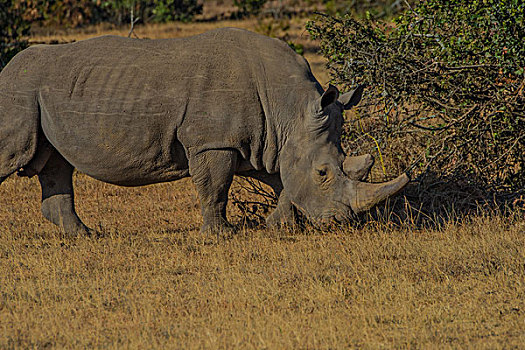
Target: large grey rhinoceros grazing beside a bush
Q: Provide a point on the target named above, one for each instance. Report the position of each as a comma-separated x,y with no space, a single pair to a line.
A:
135,112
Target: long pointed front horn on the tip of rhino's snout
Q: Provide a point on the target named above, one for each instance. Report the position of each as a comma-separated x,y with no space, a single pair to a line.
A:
363,195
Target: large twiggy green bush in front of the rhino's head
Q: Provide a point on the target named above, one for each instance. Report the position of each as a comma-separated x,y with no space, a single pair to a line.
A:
446,90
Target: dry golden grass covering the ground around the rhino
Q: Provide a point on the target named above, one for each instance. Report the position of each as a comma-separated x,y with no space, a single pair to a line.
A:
151,280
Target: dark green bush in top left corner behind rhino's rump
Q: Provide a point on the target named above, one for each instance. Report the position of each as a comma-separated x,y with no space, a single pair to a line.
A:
13,28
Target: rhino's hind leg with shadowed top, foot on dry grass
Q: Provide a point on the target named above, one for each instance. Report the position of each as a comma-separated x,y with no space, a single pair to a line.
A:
57,196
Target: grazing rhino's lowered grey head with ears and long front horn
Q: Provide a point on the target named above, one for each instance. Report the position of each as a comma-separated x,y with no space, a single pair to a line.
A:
313,168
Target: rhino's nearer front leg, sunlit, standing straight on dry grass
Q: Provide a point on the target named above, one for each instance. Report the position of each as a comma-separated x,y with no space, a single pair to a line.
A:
212,173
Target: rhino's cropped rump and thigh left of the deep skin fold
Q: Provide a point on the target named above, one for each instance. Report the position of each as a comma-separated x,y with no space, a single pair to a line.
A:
19,117
